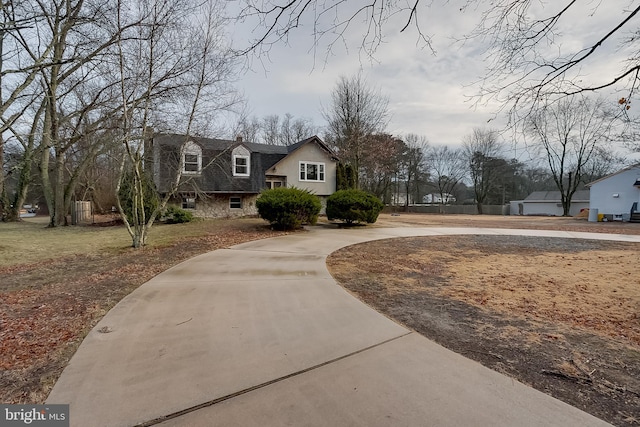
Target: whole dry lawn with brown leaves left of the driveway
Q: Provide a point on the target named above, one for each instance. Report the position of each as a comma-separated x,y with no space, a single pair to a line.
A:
57,283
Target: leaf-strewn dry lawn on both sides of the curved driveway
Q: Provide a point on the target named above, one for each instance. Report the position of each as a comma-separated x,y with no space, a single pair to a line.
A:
57,283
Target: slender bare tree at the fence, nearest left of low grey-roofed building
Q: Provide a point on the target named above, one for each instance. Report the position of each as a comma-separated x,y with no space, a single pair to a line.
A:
482,151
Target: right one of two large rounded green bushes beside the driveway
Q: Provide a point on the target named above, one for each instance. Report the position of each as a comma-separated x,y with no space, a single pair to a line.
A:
354,206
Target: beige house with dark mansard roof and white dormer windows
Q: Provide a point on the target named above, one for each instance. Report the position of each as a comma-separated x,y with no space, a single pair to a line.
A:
223,178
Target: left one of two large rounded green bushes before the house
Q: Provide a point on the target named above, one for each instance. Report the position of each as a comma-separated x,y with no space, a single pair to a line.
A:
288,208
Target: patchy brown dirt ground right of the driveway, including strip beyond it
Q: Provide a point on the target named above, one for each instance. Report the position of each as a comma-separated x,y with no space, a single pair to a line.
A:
561,315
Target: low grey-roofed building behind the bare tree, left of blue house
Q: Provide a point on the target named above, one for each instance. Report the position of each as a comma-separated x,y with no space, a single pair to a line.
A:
549,203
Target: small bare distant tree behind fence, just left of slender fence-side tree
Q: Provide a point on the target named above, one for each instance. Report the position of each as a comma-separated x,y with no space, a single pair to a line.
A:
447,168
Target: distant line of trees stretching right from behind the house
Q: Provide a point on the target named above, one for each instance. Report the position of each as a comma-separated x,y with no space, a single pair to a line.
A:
571,139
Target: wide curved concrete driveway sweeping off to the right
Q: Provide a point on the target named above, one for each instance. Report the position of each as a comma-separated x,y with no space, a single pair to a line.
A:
260,334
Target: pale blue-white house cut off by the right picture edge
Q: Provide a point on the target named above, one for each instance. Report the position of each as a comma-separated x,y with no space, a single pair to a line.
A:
615,194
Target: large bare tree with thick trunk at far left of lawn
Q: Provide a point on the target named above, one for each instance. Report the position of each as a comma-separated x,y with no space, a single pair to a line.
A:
55,49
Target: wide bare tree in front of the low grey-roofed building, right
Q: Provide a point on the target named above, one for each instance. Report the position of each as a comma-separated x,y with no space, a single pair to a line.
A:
569,134
